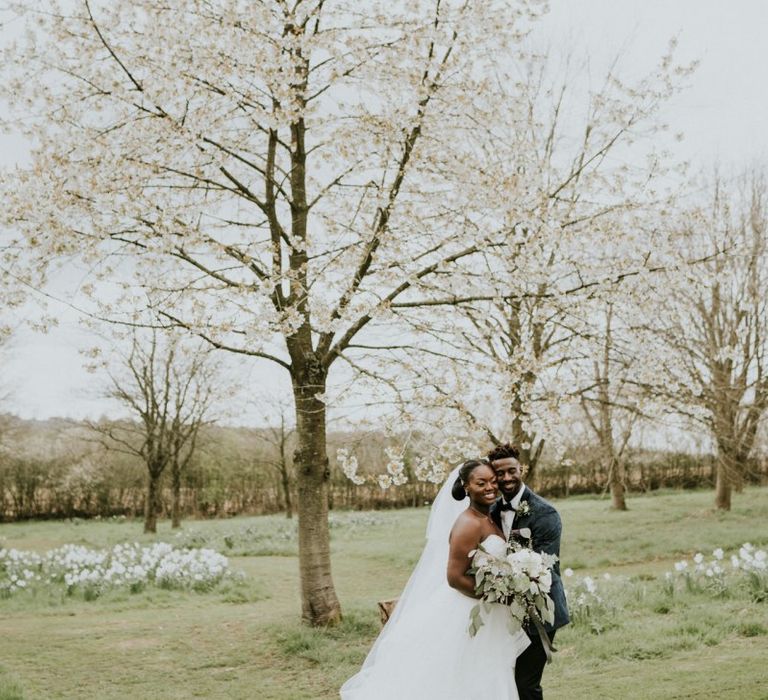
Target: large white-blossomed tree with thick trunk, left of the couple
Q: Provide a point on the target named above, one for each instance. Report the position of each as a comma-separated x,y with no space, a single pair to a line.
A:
273,176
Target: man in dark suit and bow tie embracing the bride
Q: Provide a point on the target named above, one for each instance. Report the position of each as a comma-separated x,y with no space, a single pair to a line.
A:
516,509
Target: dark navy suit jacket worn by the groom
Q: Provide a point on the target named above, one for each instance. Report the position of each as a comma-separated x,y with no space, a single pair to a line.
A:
544,523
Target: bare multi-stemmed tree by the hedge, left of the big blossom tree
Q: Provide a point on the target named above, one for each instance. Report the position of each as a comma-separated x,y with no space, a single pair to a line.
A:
168,389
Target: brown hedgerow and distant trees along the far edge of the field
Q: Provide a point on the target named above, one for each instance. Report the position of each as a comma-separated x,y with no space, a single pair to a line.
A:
58,469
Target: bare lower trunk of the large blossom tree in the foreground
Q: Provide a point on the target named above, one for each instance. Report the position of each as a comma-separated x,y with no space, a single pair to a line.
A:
319,604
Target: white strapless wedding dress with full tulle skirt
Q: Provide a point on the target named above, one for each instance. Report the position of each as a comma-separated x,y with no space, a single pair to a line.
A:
428,654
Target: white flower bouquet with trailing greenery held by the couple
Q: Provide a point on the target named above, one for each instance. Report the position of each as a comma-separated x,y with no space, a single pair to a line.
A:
514,576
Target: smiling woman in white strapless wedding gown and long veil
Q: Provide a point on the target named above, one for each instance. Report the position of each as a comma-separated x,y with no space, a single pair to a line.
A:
425,649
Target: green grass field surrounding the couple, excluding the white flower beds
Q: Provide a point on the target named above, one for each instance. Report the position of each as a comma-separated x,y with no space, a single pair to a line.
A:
244,640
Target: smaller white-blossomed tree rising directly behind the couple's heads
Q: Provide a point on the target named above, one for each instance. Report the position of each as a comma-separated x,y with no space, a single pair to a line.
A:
582,189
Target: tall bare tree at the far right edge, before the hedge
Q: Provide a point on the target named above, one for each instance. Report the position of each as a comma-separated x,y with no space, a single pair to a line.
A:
715,327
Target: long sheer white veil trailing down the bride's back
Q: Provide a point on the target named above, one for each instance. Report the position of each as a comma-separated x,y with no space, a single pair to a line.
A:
427,577
